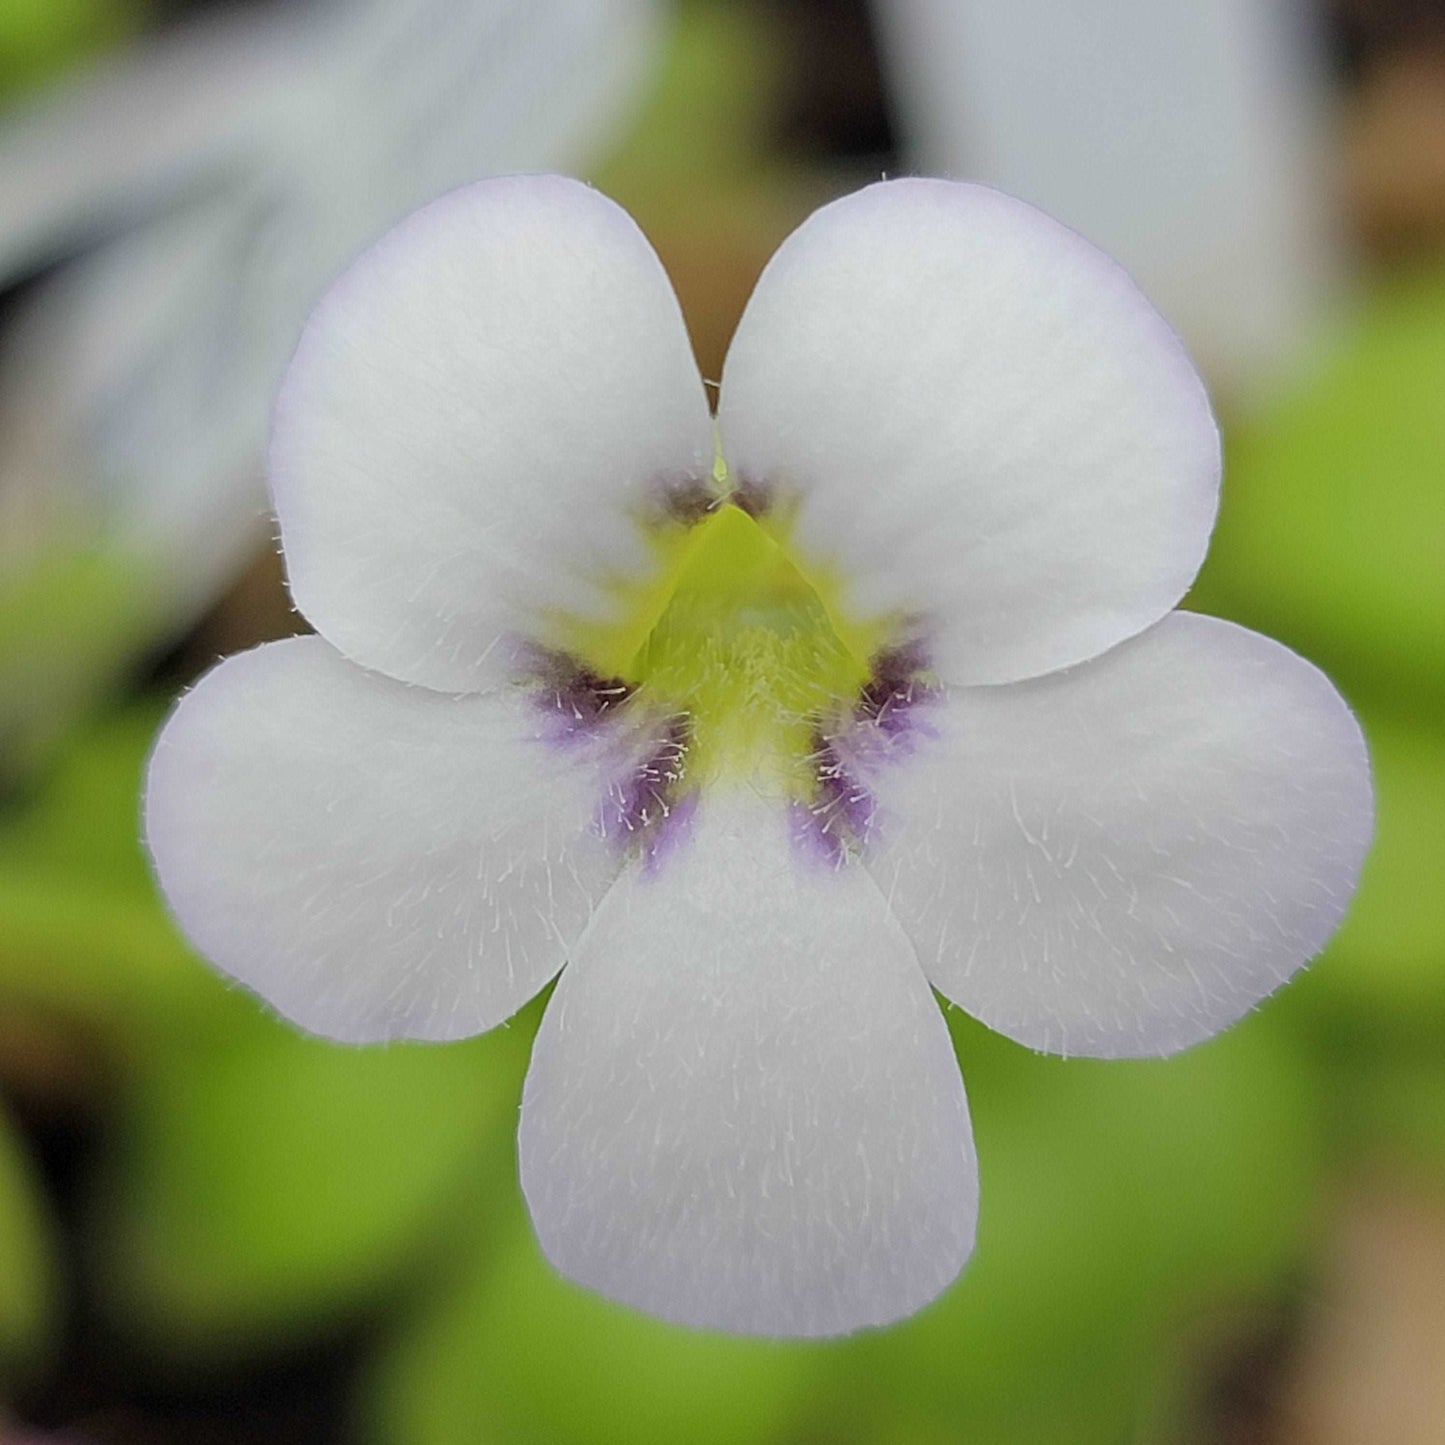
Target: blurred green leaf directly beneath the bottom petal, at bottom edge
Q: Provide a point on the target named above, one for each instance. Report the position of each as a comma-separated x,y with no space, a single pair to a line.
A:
514,1355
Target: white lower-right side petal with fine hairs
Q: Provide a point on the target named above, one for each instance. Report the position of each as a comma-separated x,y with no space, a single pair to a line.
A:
1123,859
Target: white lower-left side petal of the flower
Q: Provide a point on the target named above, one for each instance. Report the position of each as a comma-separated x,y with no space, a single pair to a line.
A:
376,860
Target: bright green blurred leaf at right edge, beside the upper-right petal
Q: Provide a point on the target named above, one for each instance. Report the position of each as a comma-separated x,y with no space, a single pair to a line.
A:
1333,524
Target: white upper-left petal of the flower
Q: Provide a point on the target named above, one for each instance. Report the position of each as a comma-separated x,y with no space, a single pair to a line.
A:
478,417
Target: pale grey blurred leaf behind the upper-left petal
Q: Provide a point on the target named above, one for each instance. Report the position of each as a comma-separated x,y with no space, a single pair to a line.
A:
213,187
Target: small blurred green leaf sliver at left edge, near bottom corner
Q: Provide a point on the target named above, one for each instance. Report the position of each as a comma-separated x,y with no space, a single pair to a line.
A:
27,1258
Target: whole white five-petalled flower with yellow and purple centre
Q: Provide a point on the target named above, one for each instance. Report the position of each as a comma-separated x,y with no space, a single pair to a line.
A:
894,699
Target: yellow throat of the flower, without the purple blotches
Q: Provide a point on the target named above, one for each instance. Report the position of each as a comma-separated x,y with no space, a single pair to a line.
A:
733,634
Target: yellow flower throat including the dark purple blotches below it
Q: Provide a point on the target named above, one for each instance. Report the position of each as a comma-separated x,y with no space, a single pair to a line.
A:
749,668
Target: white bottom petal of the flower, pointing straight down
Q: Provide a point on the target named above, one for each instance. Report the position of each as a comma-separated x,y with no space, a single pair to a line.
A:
743,1109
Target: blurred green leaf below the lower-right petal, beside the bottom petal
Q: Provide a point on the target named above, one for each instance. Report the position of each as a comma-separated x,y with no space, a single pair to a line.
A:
1121,1204
